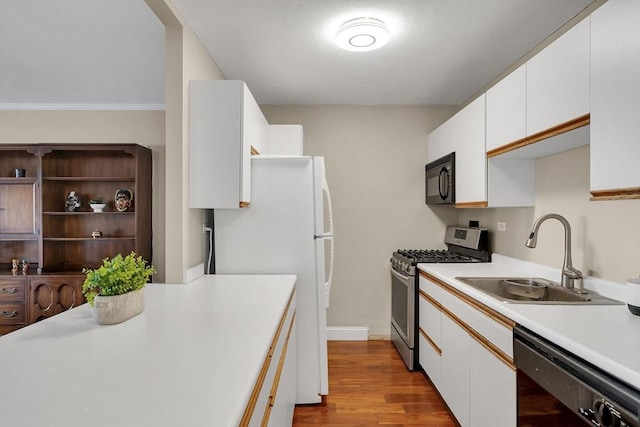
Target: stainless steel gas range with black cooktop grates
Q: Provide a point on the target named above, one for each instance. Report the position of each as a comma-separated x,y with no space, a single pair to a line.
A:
463,245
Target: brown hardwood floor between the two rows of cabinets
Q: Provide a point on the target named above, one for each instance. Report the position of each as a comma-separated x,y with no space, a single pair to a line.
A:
369,385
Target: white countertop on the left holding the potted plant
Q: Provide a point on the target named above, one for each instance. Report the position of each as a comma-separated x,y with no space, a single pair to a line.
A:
190,359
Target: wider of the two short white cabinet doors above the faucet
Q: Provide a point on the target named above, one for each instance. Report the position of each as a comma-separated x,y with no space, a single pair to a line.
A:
558,80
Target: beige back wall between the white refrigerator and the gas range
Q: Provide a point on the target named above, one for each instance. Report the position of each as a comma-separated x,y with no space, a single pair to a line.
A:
375,160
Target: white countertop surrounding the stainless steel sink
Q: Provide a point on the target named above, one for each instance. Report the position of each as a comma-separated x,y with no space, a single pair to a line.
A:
606,335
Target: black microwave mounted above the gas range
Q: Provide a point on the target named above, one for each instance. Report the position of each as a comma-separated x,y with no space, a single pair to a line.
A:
440,181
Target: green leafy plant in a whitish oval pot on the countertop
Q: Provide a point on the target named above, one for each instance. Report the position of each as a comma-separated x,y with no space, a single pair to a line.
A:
115,289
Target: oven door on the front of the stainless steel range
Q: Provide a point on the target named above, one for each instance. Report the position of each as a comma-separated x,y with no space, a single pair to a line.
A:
403,299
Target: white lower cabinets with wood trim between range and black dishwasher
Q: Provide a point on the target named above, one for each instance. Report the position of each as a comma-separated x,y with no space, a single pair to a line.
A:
466,350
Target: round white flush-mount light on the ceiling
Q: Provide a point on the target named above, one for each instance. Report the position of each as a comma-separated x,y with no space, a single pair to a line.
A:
362,34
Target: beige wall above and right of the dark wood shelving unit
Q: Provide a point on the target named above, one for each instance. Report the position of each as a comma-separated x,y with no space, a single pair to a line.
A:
146,128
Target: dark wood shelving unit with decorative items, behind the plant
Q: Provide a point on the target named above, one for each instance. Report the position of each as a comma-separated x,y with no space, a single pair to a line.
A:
58,244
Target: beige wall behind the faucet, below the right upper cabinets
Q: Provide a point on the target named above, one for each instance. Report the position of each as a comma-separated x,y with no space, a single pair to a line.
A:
605,241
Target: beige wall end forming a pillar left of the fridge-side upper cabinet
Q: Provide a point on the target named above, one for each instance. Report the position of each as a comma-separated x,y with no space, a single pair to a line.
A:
185,60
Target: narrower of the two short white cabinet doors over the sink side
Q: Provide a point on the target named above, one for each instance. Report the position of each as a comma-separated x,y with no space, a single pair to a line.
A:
507,109
